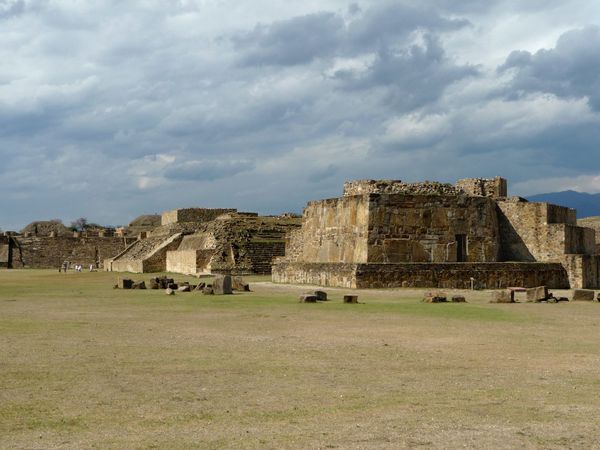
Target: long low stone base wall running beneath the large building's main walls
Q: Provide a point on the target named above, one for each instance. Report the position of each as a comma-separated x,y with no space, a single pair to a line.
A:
423,275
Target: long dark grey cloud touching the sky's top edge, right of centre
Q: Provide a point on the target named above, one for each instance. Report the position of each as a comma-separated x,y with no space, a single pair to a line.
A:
300,40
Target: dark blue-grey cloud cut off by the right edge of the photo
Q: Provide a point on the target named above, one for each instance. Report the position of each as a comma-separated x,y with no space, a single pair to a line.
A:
570,70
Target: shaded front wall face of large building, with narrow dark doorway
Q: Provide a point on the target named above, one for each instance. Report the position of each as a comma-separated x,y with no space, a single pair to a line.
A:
424,228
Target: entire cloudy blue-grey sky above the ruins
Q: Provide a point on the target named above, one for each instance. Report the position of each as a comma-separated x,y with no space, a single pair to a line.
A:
110,109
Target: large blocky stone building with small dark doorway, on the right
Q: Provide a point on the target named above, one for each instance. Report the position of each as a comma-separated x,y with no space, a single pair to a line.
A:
387,233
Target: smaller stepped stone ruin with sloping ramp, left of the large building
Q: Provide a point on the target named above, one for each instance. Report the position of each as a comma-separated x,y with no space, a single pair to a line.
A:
201,241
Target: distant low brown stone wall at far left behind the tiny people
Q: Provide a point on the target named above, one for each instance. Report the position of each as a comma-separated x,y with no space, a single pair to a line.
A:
43,252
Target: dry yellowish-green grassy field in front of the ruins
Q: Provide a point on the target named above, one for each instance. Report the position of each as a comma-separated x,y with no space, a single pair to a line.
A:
86,366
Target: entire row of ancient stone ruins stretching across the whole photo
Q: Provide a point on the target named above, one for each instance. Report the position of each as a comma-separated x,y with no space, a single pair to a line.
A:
379,234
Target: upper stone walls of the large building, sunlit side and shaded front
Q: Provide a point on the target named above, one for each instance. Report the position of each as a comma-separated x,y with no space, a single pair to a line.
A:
390,228
